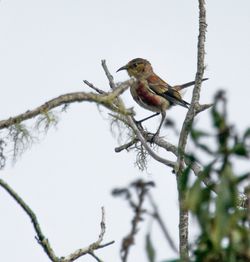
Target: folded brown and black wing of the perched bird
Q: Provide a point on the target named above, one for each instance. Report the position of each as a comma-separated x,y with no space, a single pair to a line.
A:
161,88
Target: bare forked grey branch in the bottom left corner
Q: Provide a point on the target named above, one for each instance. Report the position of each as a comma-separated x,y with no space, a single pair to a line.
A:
43,241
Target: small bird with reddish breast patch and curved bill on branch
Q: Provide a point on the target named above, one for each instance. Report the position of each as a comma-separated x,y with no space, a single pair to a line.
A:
151,92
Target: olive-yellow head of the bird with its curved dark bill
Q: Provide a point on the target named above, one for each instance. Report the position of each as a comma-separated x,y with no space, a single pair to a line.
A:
137,67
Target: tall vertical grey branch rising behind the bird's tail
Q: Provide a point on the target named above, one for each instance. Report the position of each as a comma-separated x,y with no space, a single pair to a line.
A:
194,108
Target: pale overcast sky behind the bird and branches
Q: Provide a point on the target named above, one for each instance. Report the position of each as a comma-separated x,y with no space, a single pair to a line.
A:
47,48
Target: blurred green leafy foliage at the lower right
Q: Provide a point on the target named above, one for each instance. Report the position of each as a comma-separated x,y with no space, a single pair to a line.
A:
224,226
